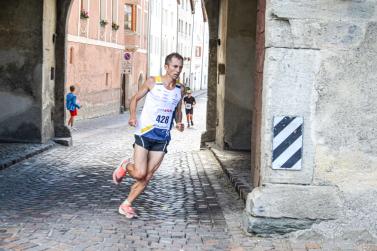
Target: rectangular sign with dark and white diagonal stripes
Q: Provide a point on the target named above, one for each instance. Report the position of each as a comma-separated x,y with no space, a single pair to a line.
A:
287,143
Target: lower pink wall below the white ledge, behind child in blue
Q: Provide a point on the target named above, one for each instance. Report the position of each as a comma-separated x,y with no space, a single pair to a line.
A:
95,71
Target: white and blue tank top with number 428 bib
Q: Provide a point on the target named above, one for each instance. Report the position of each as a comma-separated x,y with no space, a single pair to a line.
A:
156,118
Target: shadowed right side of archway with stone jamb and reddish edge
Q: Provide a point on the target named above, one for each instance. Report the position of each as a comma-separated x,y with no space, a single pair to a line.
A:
236,53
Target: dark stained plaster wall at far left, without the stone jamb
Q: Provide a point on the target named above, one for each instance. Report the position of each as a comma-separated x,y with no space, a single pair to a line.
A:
21,59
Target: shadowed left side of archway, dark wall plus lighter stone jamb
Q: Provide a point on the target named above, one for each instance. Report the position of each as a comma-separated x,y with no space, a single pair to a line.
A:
32,68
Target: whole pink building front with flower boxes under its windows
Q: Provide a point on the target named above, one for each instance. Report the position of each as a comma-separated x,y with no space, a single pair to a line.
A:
95,48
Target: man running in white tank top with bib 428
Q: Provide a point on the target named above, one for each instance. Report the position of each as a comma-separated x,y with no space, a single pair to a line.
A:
163,101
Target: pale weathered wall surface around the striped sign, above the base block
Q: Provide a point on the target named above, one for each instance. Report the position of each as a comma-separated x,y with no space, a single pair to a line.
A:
321,64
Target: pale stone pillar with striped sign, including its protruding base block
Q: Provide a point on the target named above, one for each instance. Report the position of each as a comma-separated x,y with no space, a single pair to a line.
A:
319,73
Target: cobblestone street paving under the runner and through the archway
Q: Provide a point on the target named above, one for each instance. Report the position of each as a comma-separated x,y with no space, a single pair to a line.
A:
63,199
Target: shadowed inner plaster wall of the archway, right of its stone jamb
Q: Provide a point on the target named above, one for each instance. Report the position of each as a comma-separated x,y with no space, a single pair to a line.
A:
239,79
